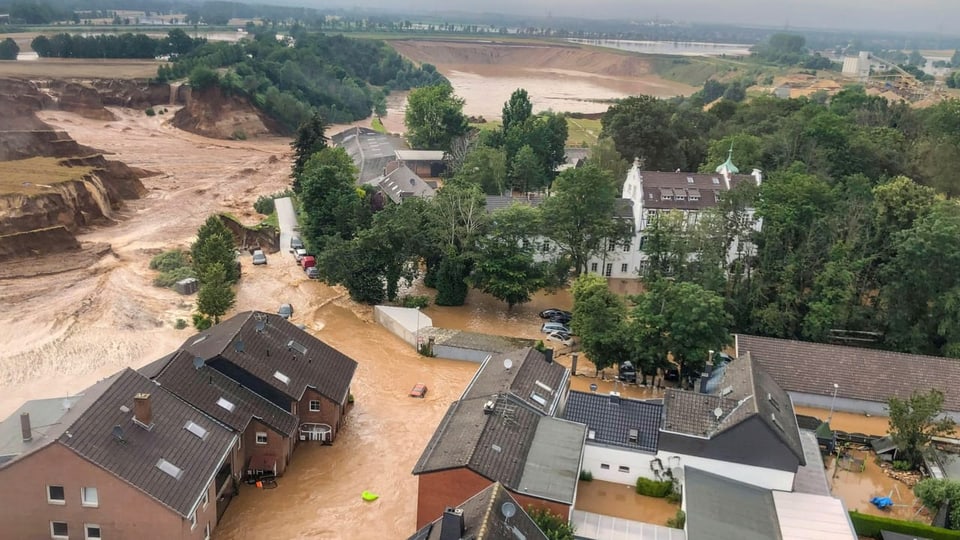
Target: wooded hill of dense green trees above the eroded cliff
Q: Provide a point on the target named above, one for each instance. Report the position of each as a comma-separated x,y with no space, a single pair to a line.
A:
338,77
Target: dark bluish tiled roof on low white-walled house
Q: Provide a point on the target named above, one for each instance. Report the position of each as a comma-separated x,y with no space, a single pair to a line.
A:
611,423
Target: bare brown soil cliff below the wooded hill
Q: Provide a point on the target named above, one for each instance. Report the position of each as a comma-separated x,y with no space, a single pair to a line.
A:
212,114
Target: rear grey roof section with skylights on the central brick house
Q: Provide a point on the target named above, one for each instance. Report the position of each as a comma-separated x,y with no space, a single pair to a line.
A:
529,368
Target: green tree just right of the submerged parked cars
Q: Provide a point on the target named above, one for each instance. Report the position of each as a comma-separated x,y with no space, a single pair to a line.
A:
599,318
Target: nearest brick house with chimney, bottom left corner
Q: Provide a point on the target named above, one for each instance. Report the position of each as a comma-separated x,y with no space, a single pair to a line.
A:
125,459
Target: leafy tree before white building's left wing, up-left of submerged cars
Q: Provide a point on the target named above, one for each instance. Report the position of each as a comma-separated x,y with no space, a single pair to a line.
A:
505,266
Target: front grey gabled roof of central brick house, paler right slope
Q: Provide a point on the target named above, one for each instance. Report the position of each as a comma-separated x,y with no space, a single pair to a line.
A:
502,445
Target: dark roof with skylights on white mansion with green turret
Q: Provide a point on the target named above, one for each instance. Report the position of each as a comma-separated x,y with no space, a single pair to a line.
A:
658,185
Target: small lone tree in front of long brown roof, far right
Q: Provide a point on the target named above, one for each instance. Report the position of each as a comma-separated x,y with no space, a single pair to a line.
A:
915,421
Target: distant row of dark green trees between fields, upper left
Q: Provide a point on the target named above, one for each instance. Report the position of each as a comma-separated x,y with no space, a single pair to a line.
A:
114,45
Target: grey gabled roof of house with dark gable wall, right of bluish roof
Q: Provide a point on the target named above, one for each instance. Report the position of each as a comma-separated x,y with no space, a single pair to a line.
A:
744,391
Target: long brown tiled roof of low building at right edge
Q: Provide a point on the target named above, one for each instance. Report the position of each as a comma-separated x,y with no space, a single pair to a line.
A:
813,368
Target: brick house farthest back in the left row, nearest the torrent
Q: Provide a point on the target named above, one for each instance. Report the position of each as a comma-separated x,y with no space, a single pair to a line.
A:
283,364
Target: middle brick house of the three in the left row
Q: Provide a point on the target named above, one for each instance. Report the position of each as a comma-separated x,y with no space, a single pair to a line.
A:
267,432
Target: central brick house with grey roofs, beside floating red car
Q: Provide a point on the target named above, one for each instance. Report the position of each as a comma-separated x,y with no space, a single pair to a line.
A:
500,430
